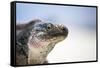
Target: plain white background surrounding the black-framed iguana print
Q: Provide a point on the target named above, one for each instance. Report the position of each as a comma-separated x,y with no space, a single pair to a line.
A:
5,33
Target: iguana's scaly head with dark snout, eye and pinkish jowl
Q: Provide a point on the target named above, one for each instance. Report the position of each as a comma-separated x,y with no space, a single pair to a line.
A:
47,34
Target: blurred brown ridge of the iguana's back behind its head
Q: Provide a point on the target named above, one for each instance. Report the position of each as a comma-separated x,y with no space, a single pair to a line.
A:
27,25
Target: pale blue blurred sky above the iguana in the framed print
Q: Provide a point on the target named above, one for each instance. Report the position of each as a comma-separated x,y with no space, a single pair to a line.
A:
70,15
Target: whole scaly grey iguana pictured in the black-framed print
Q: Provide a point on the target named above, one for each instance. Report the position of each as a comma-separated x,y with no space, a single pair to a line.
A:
36,39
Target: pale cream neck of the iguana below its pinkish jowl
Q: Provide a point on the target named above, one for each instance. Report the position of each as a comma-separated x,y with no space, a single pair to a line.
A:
38,51
